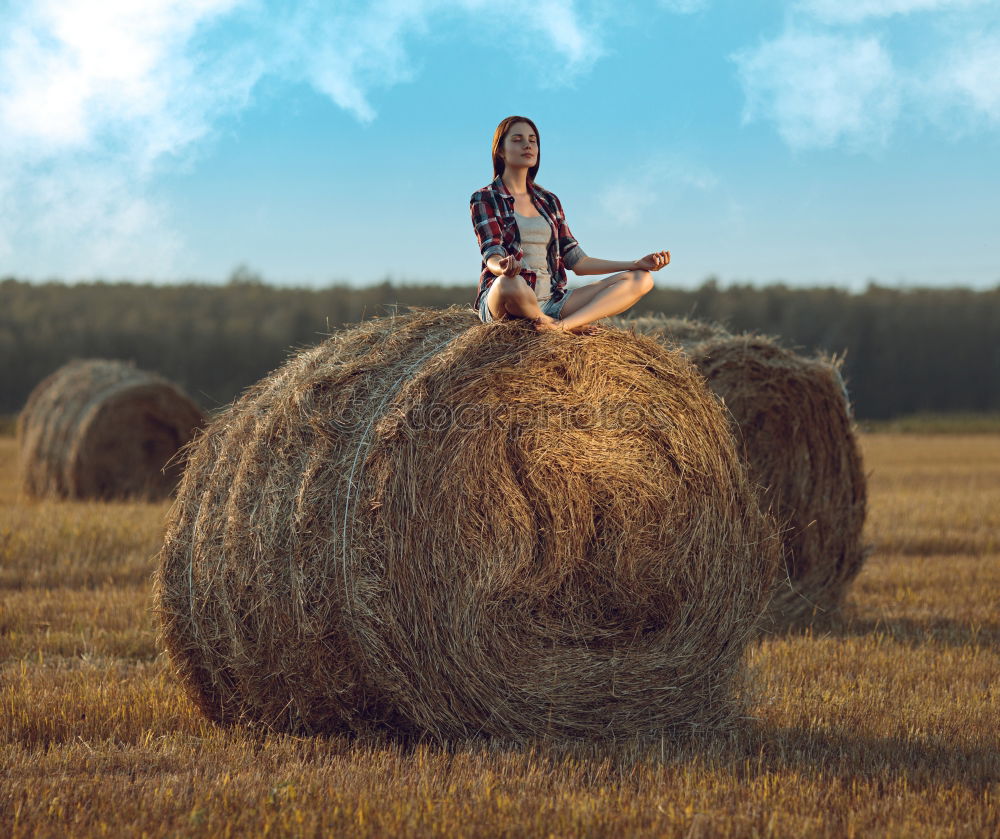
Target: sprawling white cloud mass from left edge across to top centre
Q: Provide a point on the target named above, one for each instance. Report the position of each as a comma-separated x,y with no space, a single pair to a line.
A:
97,98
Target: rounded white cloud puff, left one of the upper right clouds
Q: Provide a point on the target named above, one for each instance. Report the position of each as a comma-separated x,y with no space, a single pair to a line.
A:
821,90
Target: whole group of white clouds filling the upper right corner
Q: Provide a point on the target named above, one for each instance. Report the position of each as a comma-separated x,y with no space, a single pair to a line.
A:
839,76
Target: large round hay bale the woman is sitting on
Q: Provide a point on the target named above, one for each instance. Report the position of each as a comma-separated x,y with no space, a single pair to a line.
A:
422,523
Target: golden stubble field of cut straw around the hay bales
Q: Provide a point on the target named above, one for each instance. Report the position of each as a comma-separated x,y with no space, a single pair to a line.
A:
880,723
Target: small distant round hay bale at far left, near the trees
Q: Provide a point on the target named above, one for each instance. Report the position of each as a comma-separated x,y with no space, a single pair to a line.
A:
103,429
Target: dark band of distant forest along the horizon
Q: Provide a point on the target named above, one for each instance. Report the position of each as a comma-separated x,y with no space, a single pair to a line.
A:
907,351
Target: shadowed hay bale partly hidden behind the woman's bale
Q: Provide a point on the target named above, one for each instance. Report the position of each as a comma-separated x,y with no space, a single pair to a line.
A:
793,420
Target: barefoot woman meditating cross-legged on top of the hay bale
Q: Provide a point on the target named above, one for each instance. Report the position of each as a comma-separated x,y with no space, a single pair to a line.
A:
527,247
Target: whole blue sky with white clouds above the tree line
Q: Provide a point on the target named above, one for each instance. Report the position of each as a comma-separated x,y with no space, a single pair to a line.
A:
808,141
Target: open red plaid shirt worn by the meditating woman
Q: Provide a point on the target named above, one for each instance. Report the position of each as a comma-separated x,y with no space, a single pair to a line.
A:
492,209
